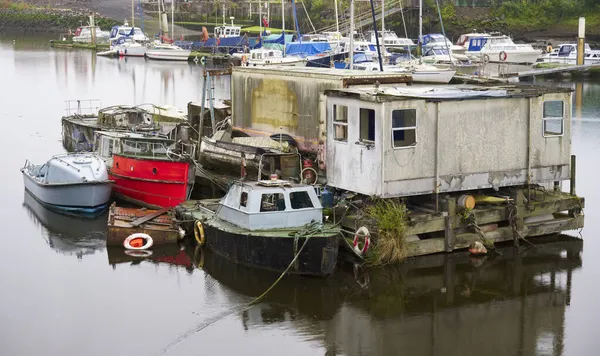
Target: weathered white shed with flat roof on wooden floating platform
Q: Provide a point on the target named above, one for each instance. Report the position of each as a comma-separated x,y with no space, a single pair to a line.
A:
403,141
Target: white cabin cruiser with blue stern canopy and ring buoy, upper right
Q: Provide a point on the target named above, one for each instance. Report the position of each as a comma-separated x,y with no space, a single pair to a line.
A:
502,49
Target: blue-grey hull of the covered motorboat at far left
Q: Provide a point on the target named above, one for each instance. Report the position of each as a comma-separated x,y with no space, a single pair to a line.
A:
87,198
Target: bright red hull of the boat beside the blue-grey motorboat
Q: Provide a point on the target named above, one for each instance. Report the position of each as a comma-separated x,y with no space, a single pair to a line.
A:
151,183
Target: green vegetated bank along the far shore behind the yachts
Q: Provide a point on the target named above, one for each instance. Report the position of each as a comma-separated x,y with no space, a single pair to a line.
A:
525,20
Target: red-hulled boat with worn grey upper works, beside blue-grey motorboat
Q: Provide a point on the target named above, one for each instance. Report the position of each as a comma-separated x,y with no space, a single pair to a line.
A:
153,172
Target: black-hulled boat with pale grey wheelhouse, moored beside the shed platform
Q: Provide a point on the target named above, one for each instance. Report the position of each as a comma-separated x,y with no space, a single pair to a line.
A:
266,224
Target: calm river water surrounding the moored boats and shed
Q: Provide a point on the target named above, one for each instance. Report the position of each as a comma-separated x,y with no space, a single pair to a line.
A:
63,293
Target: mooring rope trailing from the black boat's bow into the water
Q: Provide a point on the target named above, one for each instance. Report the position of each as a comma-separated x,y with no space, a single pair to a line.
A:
308,231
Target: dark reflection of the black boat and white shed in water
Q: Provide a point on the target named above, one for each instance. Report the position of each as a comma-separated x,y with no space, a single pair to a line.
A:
507,304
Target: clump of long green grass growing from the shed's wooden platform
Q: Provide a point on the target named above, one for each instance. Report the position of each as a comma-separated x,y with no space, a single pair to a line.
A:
391,216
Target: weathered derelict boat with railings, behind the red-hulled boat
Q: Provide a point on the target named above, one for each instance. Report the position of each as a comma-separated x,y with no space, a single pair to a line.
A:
81,123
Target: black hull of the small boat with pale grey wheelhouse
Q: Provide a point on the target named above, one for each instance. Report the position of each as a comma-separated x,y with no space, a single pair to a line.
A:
275,253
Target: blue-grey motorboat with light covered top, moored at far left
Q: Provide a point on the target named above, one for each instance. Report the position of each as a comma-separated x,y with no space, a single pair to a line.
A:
73,183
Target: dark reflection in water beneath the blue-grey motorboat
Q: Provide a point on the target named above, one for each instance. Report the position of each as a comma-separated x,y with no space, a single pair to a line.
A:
66,234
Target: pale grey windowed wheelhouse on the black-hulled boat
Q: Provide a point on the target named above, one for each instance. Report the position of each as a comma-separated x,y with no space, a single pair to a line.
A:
266,205
